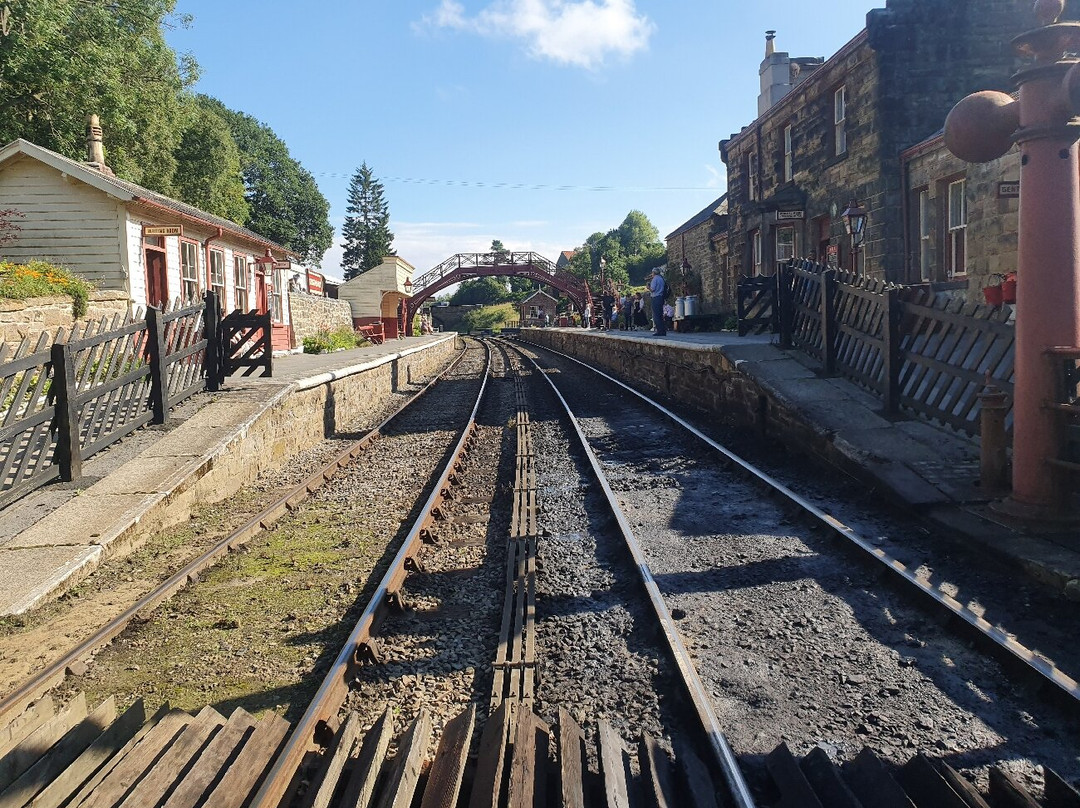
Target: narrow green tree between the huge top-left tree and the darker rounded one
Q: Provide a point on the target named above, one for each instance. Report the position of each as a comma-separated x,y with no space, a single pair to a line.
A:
209,174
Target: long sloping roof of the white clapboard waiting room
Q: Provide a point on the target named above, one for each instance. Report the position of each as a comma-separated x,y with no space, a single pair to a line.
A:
132,193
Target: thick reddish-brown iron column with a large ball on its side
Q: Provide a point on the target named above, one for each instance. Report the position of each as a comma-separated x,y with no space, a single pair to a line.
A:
1044,124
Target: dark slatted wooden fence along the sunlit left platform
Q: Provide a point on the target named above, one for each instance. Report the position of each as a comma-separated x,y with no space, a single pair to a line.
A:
62,403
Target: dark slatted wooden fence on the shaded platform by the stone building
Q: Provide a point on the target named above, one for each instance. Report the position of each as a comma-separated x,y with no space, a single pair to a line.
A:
919,353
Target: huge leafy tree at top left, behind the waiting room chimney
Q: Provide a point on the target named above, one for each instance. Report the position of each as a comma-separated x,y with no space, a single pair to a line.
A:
63,60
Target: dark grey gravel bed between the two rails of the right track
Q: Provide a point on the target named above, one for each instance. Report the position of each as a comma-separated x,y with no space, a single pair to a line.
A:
795,641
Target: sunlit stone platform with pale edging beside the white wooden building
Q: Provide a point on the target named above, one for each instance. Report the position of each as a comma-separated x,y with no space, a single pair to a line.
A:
213,445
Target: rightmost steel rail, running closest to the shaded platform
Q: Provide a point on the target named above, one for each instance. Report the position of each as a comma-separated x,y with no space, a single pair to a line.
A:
1045,671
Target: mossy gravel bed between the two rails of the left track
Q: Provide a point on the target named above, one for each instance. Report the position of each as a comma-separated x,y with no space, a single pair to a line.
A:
261,627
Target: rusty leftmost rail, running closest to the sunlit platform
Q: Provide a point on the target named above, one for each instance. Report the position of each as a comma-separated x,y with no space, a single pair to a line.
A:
50,677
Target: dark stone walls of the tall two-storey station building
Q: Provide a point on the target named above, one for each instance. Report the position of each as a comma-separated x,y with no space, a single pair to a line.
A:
902,76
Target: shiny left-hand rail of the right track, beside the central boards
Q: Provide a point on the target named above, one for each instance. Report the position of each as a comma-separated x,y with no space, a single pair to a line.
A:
725,759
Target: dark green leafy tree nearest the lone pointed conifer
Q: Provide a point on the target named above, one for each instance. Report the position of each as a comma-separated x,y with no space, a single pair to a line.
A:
286,204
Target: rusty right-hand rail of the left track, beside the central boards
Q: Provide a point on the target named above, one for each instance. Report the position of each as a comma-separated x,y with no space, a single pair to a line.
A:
332,694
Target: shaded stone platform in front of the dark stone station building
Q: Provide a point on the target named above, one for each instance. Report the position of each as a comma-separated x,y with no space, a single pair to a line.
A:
930,470
